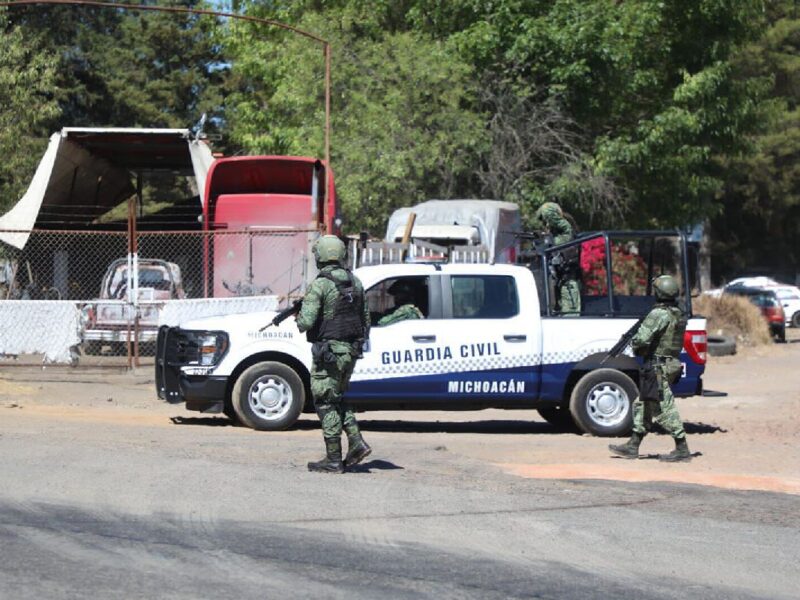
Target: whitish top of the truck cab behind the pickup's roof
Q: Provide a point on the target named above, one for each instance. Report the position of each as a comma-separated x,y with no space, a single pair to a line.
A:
494,220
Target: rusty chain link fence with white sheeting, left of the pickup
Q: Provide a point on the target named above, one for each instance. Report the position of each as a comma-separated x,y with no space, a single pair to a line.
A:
97,298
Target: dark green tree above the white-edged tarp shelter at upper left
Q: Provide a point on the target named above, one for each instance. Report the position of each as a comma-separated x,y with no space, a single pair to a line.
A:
127,68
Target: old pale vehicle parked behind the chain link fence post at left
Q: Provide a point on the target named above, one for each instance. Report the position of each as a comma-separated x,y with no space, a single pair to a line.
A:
108,323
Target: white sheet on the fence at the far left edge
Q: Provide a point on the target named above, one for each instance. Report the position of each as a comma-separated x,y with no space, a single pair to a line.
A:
49,327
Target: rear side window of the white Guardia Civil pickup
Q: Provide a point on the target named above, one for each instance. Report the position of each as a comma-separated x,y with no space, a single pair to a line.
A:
484,297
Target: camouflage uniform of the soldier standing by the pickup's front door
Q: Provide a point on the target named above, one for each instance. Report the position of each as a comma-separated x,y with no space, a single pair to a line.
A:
329,379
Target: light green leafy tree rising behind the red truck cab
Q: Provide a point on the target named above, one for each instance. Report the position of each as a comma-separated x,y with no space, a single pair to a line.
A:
404,126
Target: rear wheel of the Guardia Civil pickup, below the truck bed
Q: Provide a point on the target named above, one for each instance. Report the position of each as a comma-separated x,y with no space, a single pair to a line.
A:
602,402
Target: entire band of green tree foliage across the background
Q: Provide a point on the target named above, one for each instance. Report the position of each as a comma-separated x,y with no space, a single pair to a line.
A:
636,113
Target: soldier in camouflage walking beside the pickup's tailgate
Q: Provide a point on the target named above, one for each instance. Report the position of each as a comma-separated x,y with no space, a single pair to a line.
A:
659,340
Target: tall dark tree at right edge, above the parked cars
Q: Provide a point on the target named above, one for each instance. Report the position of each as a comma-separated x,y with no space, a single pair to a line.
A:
759,228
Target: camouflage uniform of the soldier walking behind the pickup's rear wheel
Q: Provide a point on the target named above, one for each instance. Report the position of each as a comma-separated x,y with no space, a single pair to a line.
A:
659,340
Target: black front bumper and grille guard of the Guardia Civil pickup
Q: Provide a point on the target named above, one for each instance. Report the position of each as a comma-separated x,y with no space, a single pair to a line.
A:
203,393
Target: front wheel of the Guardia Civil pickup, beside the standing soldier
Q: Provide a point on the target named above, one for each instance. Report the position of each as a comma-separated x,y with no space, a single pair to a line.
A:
268,396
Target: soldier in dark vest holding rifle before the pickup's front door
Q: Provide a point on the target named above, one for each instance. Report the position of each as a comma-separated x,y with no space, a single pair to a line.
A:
335,318
